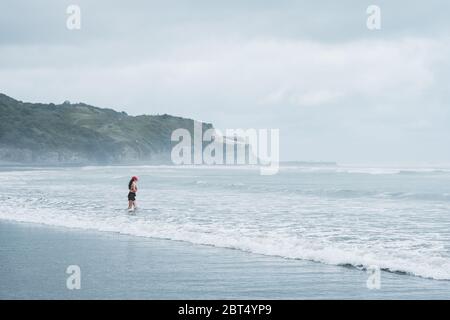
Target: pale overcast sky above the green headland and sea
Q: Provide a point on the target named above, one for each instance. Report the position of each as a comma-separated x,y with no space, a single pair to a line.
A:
336,90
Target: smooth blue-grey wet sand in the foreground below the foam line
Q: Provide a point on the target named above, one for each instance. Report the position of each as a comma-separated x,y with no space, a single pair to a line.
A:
116,266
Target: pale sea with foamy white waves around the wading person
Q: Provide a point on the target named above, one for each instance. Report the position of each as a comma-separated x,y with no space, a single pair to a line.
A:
393,218
